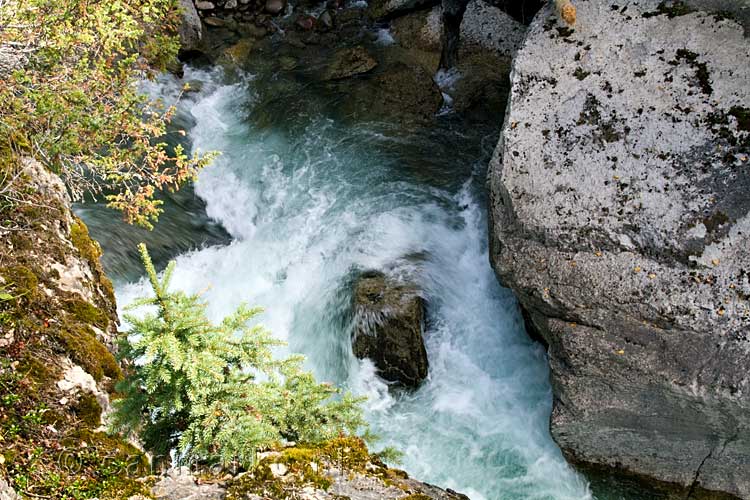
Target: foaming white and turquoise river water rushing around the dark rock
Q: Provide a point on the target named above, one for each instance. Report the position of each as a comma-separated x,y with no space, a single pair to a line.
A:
306,201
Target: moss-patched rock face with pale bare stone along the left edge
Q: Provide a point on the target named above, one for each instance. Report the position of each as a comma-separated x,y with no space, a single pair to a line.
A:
54,338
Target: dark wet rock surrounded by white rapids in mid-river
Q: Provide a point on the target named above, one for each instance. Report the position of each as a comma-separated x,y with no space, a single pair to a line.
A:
389,324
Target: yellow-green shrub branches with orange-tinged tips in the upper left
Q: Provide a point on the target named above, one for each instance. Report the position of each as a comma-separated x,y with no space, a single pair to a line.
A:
70,99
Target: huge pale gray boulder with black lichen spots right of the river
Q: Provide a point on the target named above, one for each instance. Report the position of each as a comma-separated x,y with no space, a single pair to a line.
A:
620,216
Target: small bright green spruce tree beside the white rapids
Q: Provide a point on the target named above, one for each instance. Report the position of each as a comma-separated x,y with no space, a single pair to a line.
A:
215,391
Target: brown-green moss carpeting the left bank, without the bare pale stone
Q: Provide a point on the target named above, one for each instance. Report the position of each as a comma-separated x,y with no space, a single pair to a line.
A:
49,445
